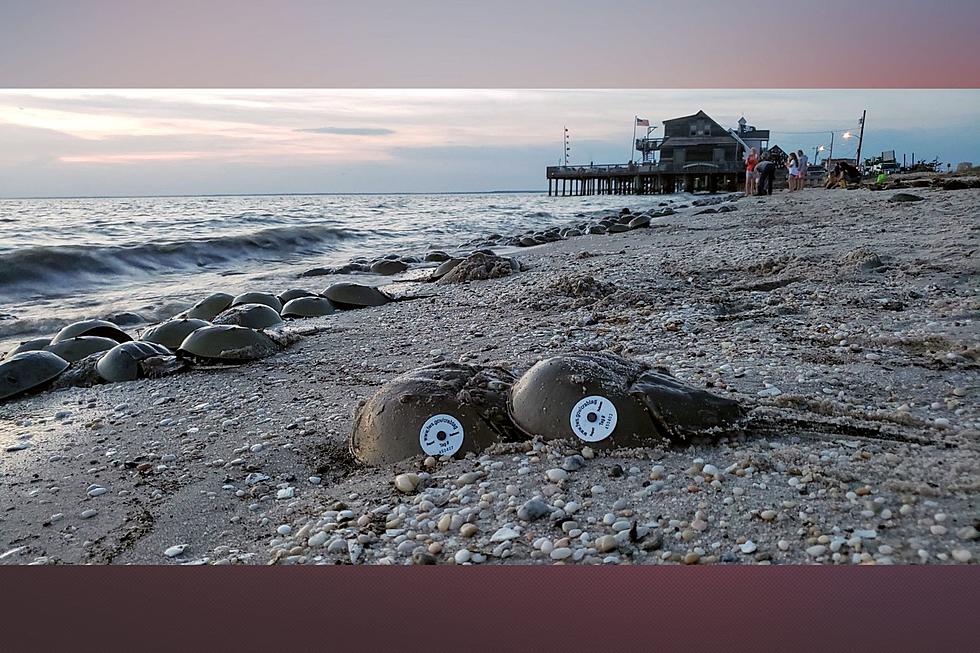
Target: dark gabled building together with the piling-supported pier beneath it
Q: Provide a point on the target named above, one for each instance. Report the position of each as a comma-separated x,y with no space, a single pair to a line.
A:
694,154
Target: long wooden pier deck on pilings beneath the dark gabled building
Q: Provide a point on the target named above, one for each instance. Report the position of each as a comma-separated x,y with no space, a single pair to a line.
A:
645,178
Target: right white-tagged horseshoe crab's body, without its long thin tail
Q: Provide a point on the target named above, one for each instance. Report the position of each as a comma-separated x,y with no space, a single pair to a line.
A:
609,401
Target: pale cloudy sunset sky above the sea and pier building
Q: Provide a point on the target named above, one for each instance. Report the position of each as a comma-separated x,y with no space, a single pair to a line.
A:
60,142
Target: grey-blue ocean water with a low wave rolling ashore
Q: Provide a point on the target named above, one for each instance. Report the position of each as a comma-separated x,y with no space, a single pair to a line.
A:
63,260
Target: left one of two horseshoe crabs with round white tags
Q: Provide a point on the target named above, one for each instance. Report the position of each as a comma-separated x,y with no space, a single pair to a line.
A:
440,409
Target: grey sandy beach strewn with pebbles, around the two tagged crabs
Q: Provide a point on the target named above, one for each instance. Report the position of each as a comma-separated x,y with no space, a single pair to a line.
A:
845,323
